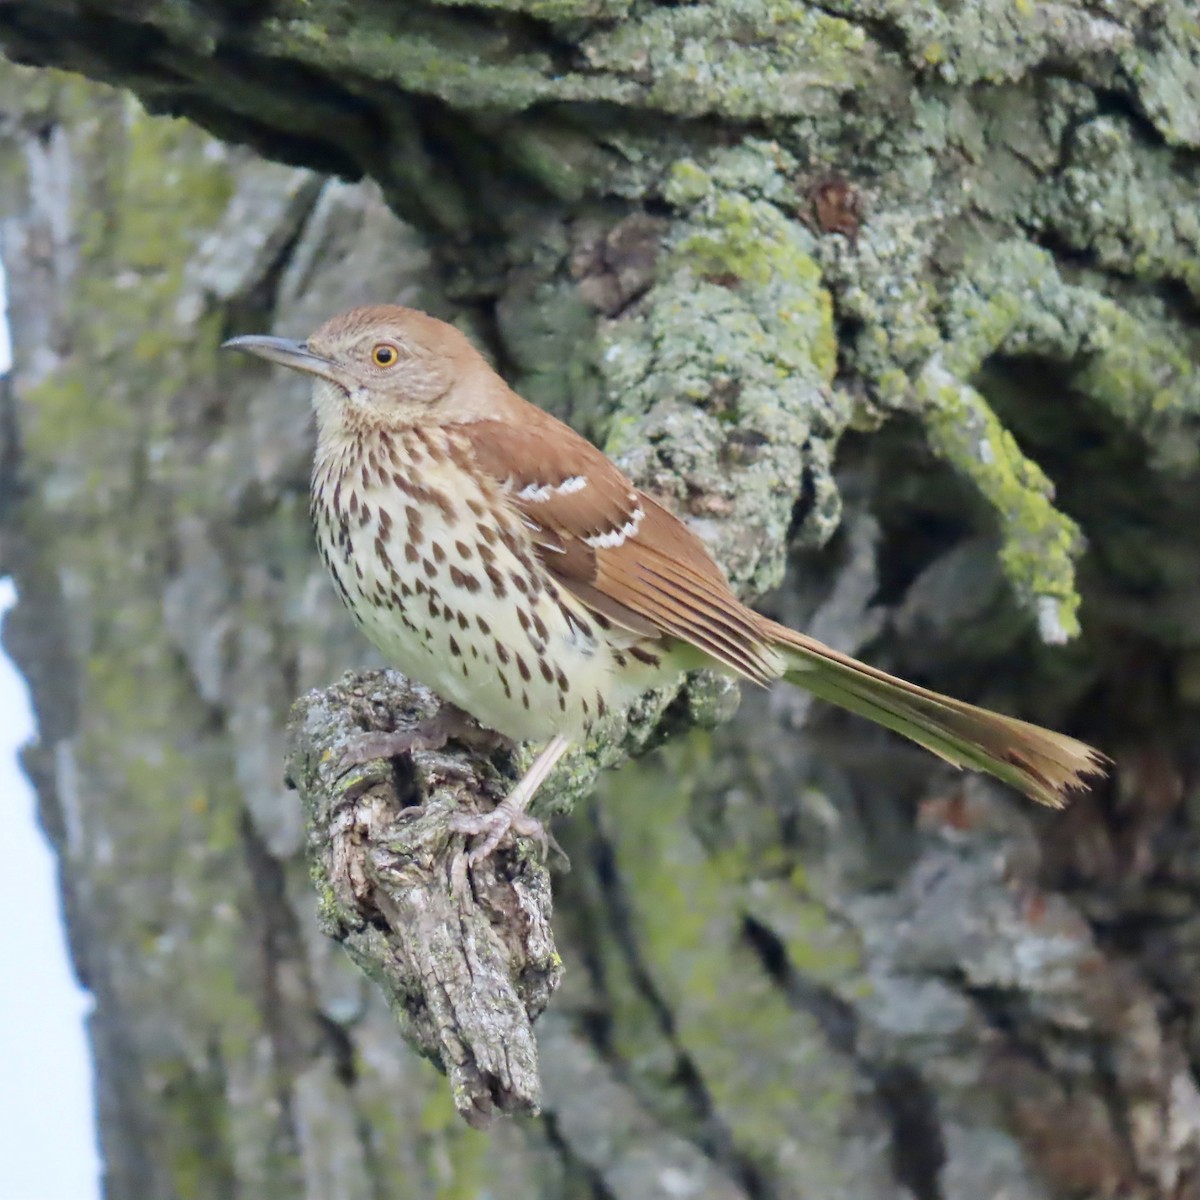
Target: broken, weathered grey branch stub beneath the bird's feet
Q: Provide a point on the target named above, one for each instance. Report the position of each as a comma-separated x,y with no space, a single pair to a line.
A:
467,965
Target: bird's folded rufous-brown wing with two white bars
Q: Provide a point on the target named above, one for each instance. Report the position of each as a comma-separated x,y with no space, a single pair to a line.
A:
620,553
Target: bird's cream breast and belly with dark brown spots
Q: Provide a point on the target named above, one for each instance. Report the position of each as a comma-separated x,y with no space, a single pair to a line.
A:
440,569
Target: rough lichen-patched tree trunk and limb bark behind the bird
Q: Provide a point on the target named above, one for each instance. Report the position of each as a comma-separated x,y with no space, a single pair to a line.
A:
955,249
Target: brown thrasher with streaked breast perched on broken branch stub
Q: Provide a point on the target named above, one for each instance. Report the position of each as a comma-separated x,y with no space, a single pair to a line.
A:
500,559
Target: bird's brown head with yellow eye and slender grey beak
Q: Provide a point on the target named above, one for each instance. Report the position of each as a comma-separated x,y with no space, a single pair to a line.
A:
385,367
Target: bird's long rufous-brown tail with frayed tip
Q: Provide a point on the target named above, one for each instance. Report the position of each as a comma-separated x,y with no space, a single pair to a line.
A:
1043,765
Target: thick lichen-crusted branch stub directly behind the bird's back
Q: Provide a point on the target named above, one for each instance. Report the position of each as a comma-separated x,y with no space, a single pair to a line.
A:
728,364
